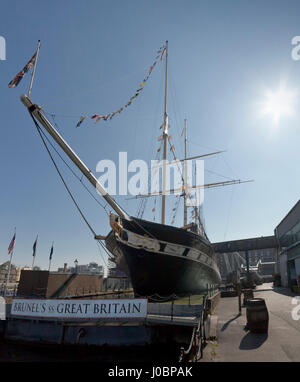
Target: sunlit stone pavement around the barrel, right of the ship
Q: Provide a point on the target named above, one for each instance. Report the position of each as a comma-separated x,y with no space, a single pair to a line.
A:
235,344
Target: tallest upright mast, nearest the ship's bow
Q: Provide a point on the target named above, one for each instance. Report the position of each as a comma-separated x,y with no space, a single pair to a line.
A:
165,137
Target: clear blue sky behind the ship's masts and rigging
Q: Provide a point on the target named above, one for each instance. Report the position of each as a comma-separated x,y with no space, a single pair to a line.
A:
225,58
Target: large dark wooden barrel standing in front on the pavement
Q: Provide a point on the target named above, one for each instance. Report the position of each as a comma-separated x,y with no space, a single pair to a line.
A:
257,315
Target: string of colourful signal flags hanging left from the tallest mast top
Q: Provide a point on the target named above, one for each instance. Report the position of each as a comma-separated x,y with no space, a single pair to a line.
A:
105,117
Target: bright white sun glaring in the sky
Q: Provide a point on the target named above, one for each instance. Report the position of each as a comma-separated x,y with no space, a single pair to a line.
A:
279,103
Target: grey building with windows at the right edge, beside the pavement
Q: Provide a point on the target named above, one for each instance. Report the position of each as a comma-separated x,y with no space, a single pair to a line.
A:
288,235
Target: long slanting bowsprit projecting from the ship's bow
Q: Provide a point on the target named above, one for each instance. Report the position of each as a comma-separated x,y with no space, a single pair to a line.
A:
36,112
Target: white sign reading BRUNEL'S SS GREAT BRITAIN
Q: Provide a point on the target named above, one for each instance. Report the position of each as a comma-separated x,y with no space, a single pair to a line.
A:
95,309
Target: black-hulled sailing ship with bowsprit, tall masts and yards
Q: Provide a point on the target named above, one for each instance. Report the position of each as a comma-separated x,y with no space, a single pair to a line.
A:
162,261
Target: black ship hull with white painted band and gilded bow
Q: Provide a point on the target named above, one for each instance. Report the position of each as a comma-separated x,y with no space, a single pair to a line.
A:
162,260
